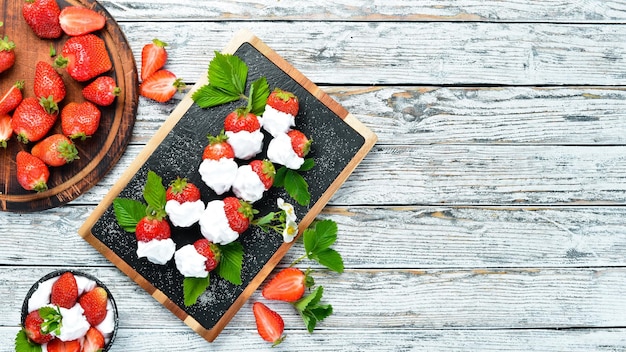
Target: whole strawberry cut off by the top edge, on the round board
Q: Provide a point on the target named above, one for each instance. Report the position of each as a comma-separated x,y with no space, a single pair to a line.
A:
43,17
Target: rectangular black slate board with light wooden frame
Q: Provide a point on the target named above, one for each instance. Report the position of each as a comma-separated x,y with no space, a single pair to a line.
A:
340,143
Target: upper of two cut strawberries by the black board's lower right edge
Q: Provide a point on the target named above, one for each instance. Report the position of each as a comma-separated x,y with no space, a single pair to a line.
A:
288,285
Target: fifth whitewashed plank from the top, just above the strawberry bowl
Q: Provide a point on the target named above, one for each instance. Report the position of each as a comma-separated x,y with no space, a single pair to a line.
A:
414,237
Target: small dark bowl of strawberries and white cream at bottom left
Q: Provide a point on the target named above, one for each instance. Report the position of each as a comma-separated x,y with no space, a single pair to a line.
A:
68,310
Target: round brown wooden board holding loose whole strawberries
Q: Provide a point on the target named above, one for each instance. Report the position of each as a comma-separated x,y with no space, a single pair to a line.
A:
97,154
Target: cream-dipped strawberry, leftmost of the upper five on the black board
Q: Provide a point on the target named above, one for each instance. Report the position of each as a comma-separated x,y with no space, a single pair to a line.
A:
218,168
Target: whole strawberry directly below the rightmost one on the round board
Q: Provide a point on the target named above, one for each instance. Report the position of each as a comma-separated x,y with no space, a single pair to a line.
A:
80,120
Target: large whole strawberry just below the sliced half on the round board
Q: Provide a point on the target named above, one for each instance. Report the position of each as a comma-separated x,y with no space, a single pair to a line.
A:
84,57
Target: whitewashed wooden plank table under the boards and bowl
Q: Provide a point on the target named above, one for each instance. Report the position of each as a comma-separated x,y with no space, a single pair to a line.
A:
490,215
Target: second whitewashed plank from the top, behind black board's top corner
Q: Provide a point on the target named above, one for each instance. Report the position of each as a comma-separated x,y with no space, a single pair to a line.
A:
442,54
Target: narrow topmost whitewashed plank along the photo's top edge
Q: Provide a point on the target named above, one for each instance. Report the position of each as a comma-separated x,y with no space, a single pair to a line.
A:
597,11
